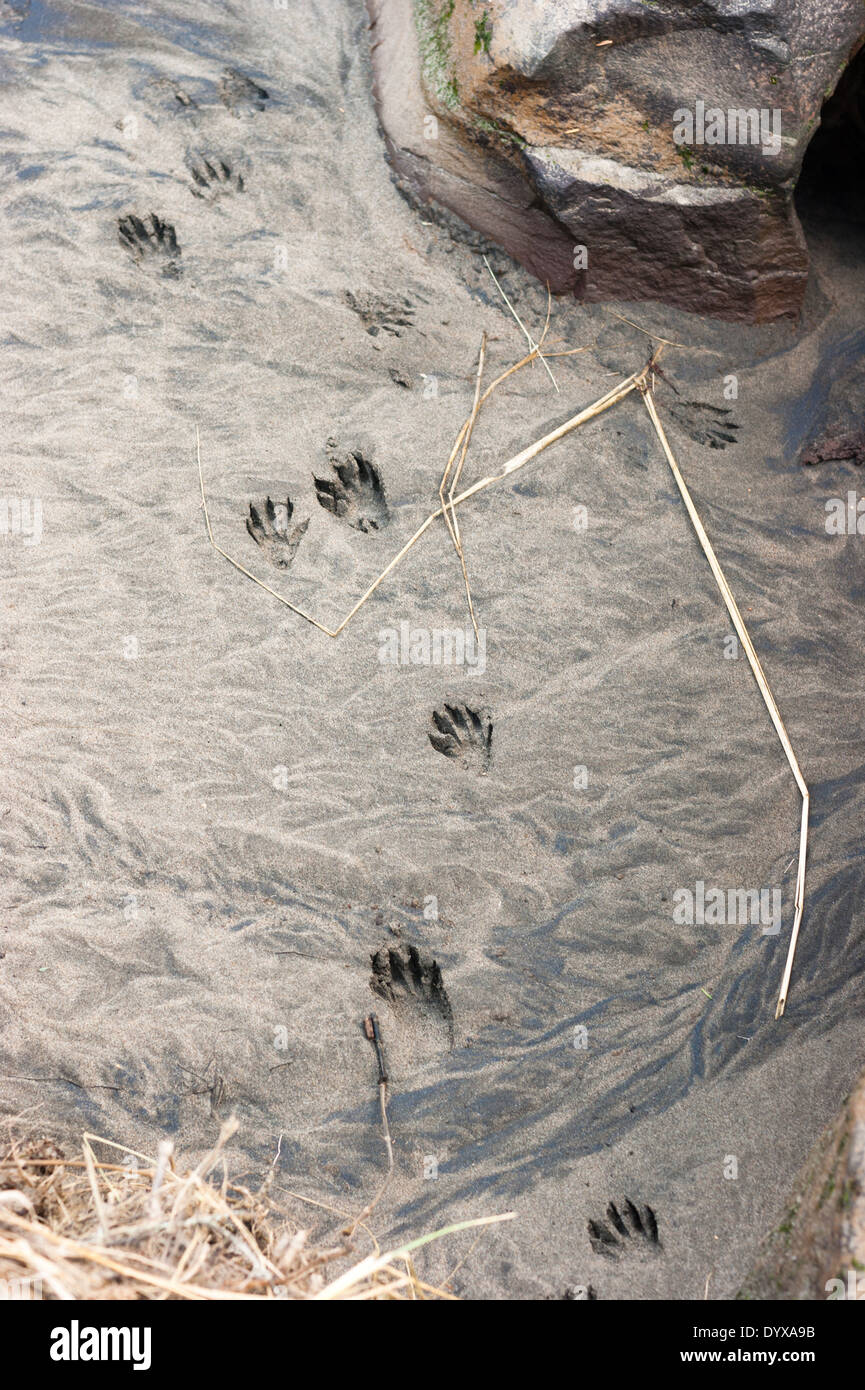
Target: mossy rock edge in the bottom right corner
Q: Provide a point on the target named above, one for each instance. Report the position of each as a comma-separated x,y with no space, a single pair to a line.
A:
818,1249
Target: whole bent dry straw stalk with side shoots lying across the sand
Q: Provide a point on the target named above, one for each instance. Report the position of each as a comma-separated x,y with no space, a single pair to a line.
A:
638,382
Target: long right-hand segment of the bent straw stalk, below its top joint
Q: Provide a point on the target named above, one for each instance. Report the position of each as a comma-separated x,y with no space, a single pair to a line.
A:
761,680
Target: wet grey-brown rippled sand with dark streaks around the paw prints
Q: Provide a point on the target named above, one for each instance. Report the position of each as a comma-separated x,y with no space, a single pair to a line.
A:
212,815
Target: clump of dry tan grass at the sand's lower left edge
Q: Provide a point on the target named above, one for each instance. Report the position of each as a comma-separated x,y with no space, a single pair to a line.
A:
143,1228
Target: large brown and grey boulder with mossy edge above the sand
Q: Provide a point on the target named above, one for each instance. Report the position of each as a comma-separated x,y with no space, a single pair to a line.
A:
620,148
